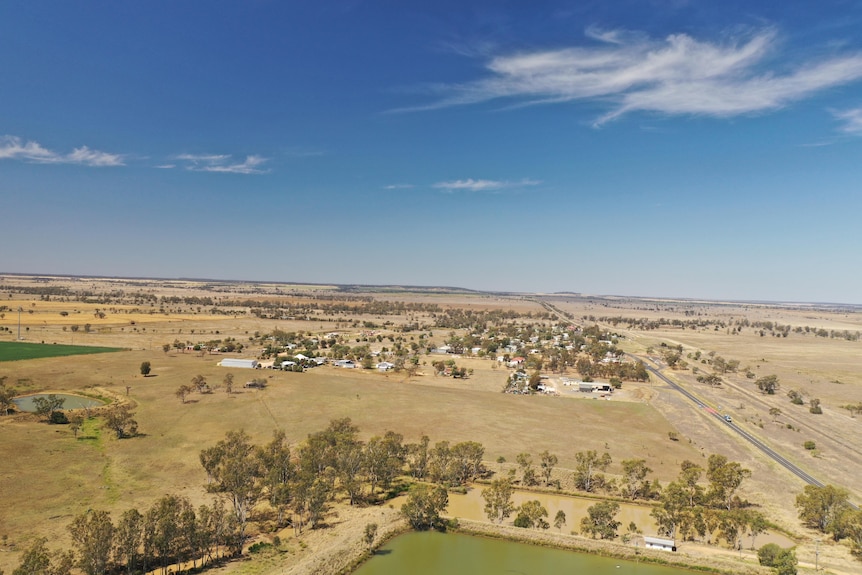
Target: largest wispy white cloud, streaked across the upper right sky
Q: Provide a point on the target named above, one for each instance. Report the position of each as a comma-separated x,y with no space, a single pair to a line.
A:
678,75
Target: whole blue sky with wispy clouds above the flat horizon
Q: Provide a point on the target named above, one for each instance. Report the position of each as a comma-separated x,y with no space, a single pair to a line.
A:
652,148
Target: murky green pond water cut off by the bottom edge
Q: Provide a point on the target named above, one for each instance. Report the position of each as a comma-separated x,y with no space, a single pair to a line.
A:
431,553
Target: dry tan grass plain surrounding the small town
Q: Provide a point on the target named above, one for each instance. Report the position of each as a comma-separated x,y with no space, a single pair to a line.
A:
52,476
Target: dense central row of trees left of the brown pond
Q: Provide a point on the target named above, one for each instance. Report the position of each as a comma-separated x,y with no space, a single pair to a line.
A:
299,486
